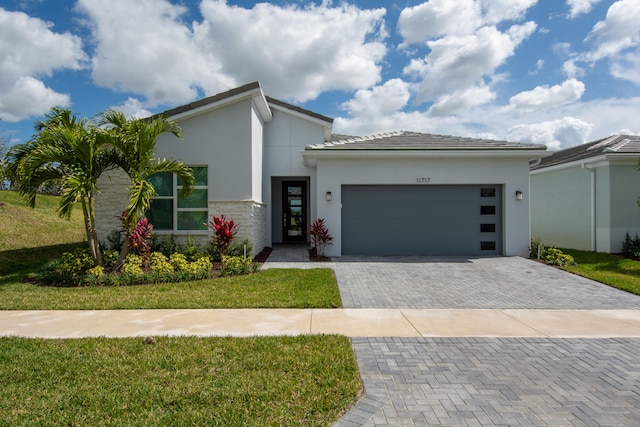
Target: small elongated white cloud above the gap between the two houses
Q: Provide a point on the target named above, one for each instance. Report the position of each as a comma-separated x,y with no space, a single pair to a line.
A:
545,97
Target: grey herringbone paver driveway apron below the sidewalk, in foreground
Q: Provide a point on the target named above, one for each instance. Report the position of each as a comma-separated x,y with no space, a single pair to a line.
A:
497,381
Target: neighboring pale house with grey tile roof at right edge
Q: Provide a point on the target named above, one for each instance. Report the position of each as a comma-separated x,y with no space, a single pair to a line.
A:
585,197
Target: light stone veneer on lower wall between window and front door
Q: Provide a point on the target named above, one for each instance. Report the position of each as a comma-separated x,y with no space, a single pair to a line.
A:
249,215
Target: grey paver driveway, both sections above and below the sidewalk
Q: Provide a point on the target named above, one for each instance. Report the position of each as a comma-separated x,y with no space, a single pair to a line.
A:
487,381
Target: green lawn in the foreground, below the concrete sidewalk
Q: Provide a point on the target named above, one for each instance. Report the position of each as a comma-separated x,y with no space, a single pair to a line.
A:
287,381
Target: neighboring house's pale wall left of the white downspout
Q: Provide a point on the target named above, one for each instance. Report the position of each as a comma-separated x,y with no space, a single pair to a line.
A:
561,208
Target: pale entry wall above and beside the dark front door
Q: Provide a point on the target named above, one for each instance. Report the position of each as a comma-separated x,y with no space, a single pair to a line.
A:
285,138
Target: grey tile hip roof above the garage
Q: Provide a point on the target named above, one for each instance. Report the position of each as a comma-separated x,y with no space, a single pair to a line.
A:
404,140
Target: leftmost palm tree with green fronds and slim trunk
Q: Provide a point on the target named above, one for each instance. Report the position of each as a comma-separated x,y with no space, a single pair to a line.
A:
68,150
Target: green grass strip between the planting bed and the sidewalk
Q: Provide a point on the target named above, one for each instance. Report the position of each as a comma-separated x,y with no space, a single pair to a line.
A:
271,288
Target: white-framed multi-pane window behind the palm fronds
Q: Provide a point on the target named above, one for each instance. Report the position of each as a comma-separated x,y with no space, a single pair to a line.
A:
171,212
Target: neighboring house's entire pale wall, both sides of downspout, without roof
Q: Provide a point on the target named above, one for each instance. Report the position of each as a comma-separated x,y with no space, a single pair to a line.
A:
562,210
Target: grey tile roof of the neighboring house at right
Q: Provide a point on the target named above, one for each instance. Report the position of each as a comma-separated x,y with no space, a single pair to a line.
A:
623,144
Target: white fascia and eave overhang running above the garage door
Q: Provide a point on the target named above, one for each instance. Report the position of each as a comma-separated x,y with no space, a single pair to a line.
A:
311,156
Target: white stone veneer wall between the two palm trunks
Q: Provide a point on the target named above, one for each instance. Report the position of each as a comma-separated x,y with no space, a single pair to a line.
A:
110,201
